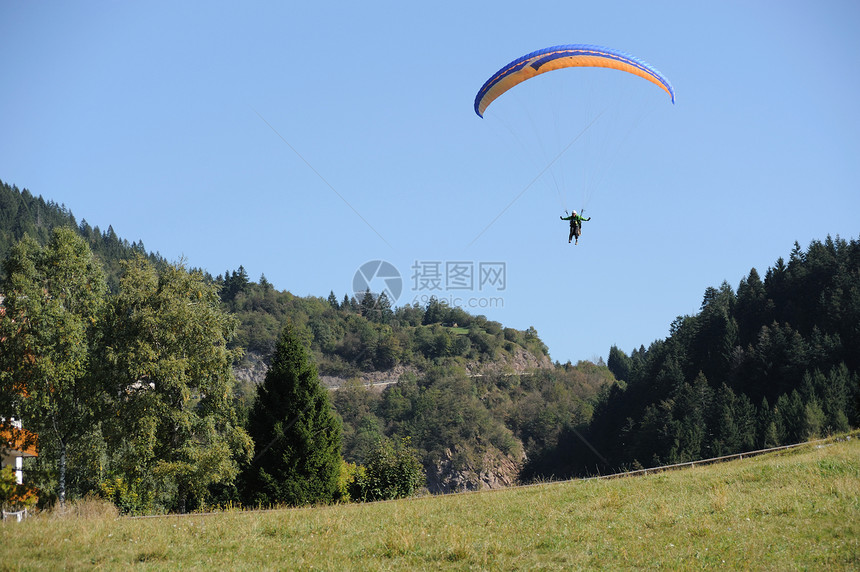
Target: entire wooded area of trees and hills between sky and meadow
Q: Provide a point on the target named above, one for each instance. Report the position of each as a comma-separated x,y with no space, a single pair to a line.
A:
153,416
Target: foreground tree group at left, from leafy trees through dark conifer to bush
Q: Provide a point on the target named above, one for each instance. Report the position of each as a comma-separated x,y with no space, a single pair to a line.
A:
132,396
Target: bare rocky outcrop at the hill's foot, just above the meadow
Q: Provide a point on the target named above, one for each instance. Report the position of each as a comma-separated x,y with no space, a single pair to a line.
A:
496,471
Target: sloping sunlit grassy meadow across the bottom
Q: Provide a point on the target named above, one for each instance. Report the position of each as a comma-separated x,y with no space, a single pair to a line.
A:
793,510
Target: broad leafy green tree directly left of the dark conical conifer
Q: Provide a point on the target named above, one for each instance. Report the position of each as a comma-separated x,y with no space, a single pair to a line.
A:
175,428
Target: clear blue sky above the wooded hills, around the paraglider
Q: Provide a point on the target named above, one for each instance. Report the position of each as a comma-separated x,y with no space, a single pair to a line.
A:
174,122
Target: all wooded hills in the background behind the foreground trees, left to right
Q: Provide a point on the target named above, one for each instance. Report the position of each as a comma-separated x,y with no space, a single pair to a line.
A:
773,362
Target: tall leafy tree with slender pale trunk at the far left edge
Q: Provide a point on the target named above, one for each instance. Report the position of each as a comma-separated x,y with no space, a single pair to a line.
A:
53,297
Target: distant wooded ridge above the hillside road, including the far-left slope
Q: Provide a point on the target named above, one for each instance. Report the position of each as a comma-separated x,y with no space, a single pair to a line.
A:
348,338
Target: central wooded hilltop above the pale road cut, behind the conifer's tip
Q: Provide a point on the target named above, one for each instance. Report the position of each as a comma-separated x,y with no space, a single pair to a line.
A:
351,336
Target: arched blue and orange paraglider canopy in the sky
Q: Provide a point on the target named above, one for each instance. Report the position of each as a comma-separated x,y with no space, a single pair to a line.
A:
557,57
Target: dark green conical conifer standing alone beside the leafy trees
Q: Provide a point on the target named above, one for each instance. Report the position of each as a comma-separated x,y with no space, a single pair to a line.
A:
296,433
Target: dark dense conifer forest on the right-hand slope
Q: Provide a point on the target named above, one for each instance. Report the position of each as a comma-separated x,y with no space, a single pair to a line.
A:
775,362
